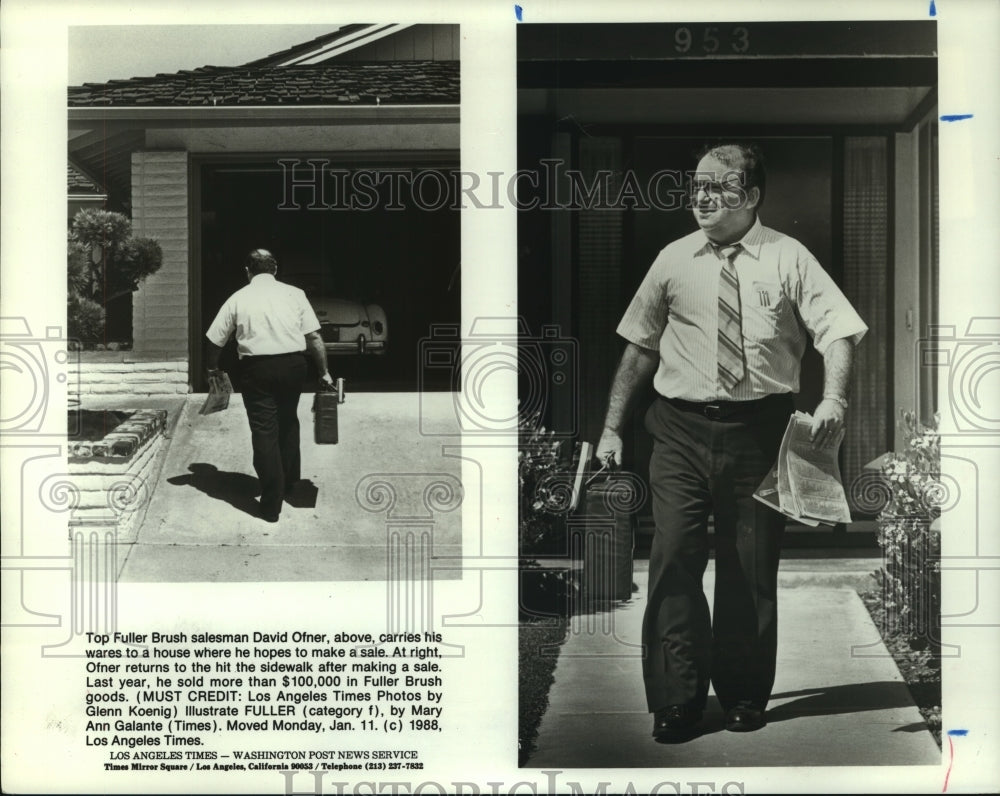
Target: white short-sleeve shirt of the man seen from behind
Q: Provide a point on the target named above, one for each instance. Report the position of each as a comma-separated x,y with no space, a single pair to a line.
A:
267,317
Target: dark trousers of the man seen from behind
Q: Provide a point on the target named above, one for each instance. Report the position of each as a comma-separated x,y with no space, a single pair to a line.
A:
271,387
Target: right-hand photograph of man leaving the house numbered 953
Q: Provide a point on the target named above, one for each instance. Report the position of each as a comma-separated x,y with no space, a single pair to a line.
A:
737,224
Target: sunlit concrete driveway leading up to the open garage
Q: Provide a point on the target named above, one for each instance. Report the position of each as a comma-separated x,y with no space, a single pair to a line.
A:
200,524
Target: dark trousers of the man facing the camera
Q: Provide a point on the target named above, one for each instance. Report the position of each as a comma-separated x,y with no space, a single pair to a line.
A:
700,466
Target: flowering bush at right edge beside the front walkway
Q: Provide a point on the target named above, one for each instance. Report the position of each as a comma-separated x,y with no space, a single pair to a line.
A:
910,578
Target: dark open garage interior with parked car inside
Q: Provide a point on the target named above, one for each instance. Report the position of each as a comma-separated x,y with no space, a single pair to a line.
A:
375,245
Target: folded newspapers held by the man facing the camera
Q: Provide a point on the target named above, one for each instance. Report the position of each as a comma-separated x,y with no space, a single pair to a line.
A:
805,484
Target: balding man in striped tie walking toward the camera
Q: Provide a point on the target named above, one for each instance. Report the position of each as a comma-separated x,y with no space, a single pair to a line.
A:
719,325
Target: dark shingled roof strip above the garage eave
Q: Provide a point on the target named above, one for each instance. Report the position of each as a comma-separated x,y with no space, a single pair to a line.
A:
406,83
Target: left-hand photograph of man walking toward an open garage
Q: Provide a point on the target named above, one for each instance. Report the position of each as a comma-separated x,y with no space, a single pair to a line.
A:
278,222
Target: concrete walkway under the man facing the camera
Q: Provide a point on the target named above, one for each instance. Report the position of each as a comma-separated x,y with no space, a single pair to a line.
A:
838,698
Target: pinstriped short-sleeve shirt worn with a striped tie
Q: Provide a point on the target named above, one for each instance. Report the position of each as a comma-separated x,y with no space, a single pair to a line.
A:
784,294
